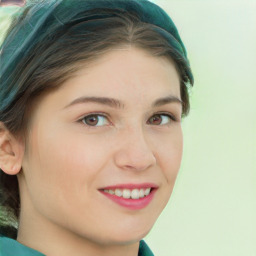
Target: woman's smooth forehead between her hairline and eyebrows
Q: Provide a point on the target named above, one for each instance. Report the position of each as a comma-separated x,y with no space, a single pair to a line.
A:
132,76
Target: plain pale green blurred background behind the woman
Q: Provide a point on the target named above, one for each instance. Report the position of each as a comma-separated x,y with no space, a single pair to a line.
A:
212,210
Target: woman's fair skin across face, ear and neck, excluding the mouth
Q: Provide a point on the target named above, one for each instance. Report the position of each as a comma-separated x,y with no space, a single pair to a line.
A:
66,161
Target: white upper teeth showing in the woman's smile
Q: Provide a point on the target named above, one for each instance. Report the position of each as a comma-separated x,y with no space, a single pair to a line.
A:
127,193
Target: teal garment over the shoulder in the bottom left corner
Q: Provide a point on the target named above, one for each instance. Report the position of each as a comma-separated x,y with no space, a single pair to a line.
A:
10,247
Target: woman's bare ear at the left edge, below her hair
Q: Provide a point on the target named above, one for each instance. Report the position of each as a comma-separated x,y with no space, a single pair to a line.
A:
11,151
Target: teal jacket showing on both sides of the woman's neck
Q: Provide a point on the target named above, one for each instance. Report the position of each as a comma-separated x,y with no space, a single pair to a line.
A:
10,247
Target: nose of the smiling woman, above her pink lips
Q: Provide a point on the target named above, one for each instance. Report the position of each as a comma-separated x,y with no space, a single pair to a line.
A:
133,152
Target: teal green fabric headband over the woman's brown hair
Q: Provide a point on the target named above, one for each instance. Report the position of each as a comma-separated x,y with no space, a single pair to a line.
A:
45,17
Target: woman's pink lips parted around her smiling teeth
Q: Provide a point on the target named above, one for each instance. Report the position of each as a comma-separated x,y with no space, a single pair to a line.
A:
132,204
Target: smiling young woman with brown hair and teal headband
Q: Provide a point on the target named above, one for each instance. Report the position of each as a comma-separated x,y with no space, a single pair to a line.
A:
91,100
